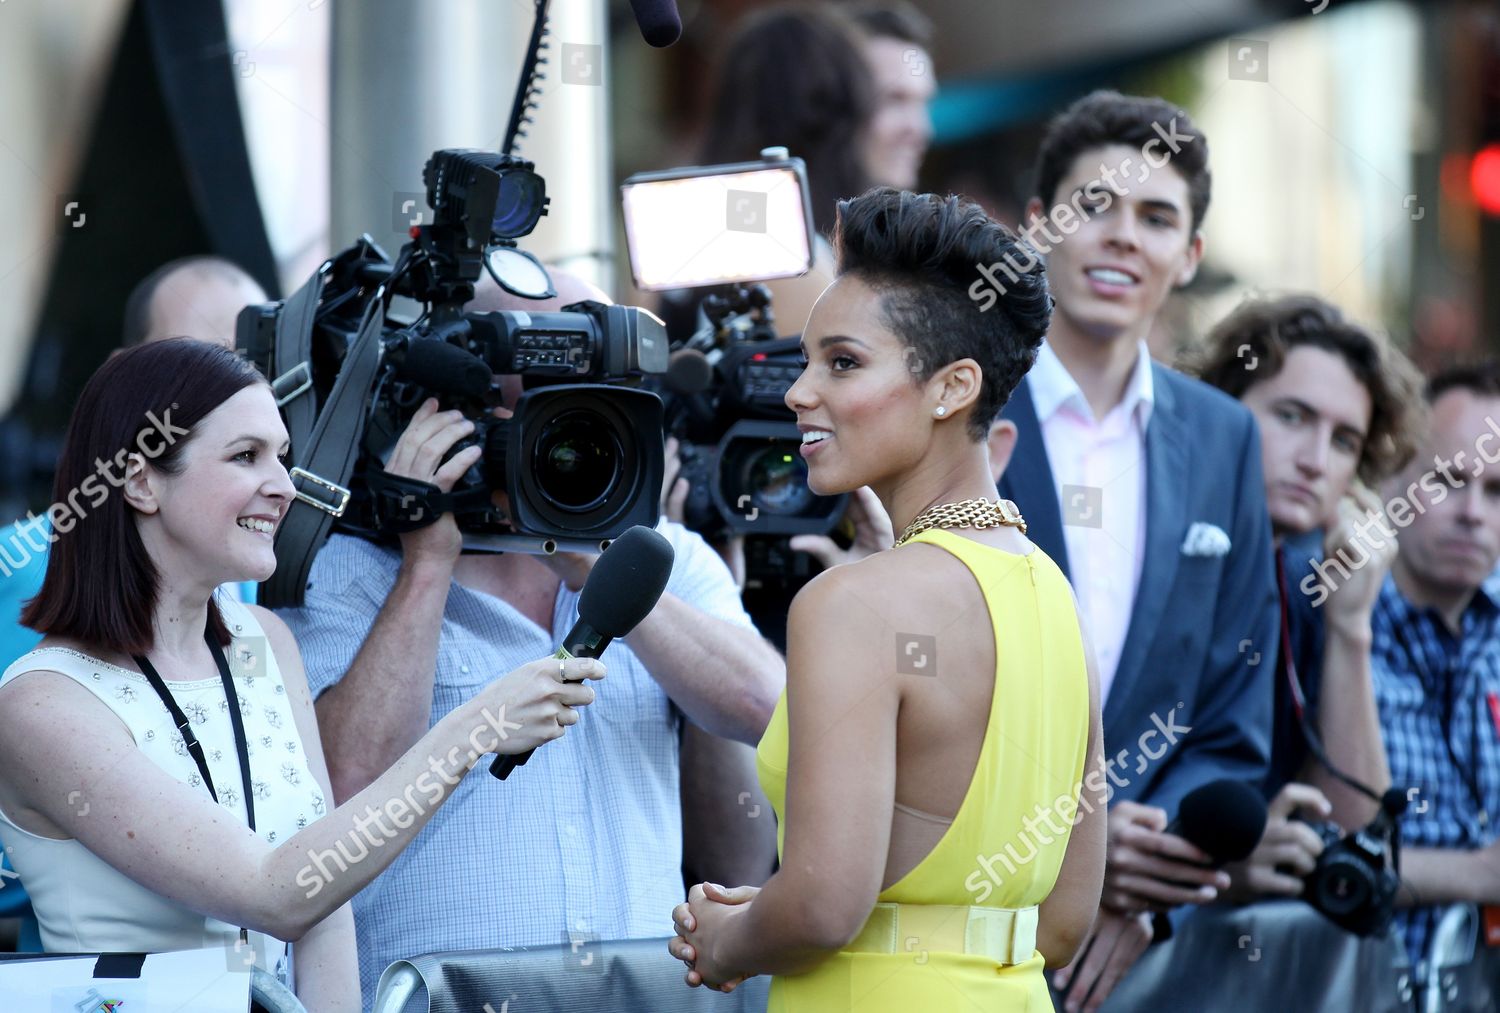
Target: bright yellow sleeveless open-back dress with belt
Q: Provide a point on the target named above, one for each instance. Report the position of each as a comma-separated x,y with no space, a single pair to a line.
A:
958,933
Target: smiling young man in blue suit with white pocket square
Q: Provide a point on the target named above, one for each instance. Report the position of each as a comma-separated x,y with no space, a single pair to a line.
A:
1147,490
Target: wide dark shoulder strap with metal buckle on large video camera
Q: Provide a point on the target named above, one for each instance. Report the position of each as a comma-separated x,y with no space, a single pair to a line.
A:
325,466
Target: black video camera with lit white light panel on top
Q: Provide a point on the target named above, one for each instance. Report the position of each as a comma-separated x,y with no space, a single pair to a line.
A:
725,391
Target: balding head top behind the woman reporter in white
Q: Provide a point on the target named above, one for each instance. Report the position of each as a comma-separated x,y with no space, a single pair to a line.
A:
191,298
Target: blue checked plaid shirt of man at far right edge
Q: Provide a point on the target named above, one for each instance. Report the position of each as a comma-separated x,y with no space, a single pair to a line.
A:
1441,736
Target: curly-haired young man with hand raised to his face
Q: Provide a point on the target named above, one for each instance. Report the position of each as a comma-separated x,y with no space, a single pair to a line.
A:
1339,412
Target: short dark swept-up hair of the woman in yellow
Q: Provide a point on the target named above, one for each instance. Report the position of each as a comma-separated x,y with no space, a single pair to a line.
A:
923,254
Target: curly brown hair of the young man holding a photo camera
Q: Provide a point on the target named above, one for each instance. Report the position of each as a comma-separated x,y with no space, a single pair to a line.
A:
1270,329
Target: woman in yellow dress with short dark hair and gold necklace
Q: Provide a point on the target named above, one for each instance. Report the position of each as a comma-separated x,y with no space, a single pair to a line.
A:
935,762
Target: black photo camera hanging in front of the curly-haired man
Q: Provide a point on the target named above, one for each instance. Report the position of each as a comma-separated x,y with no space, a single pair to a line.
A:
1357,876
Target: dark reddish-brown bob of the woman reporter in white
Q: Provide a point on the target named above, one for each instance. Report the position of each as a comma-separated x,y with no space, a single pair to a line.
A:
101,585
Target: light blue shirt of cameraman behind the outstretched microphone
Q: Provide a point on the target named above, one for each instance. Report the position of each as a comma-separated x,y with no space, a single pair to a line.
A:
586,841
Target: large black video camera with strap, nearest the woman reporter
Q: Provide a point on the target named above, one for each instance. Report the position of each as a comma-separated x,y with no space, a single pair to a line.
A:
581,458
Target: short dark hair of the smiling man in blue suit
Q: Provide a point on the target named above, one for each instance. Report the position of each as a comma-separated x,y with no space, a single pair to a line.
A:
1109,118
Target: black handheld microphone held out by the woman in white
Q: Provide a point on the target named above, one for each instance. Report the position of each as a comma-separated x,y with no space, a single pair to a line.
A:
620,592
